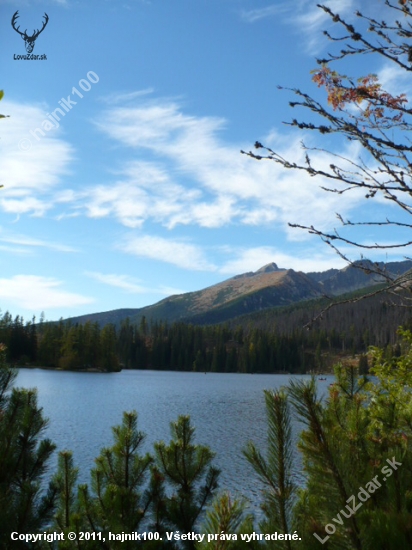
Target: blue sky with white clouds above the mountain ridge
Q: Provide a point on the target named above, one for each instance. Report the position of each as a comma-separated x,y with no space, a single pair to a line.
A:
140,191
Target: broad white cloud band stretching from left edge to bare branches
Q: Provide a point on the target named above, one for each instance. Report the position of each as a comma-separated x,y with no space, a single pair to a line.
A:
180,172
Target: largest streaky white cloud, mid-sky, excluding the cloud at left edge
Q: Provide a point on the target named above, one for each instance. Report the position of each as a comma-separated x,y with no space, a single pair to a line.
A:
197,178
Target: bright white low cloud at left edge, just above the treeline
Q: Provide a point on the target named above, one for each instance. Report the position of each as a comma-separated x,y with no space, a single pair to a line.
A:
38,293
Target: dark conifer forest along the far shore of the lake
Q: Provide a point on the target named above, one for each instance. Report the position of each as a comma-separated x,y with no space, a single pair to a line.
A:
275,341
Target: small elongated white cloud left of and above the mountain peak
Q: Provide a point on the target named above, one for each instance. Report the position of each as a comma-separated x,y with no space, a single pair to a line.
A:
178,253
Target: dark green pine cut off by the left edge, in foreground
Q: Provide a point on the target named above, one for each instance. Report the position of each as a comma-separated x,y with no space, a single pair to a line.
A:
24,506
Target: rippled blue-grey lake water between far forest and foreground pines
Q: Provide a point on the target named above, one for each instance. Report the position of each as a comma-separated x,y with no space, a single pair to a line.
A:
226,409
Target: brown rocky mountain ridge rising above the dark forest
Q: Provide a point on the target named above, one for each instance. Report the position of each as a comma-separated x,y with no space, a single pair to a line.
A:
268,287
